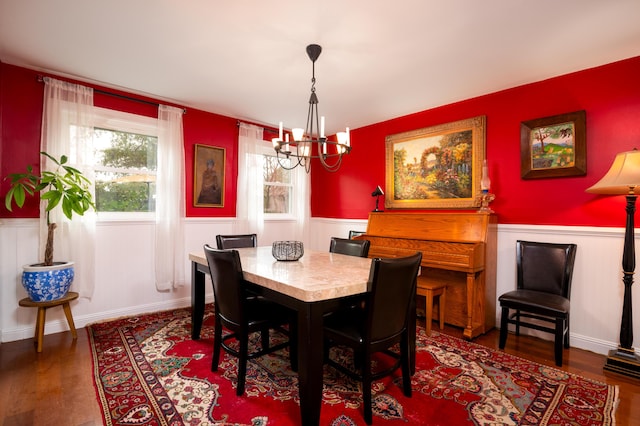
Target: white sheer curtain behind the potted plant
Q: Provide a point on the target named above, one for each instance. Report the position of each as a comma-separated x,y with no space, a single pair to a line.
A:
67,129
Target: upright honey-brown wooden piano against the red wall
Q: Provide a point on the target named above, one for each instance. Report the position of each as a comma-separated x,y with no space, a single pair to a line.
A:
458,248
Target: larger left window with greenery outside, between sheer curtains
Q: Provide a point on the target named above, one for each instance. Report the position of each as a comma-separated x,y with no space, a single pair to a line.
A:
125,155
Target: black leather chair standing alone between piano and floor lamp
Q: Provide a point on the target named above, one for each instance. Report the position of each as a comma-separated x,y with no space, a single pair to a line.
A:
544,273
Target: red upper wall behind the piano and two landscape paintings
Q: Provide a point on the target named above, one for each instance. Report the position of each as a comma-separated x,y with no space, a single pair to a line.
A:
609,94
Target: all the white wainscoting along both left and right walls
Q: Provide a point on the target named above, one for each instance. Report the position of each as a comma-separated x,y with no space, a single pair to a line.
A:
125,285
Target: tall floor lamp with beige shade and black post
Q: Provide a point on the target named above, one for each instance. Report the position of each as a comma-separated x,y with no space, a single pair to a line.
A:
623,178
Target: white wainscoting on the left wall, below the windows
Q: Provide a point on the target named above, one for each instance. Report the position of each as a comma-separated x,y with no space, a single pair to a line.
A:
124,271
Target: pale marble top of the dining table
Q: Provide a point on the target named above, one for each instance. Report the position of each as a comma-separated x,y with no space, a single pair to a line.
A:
316,276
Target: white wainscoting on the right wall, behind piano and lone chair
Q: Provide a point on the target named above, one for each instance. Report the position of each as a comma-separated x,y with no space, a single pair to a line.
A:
597,290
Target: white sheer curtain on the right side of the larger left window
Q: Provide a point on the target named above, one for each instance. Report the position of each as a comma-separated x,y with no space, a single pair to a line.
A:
170,201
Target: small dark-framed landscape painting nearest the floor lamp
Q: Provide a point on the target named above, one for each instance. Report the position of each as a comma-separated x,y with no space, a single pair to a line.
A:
554,146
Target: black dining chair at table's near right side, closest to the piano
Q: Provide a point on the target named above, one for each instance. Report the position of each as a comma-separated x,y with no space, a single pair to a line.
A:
377,325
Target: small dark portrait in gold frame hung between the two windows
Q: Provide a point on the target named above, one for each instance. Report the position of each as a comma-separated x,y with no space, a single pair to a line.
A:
208,176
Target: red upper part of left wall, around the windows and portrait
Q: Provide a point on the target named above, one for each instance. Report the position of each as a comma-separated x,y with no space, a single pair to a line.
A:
21,96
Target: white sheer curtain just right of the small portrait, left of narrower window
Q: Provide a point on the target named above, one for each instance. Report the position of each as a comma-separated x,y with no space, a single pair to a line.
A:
249,204
